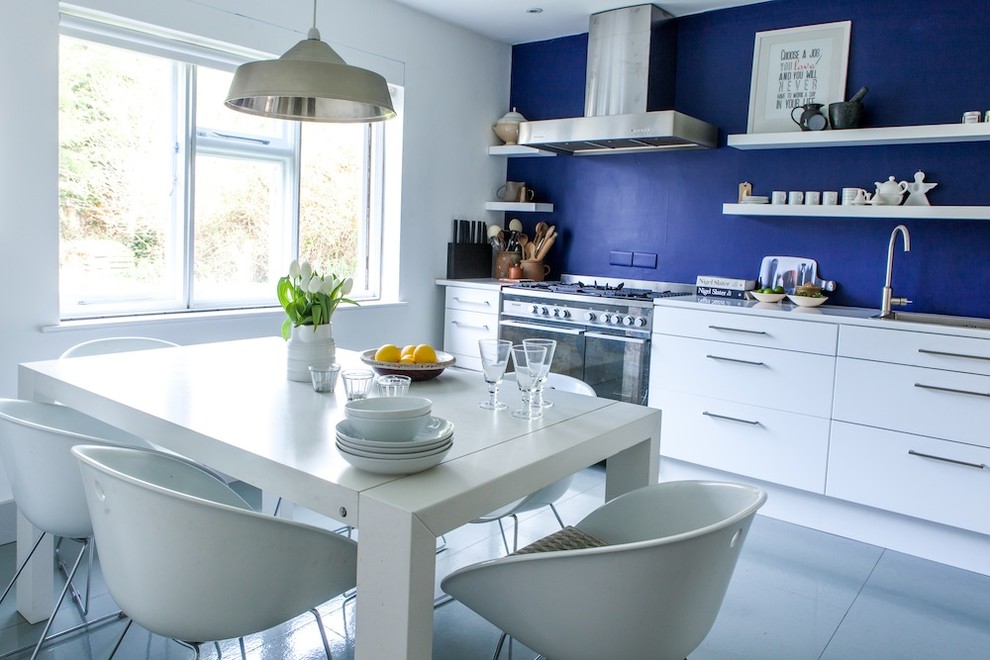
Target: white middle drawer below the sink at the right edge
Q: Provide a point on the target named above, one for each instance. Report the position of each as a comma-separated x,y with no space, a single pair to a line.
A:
942,404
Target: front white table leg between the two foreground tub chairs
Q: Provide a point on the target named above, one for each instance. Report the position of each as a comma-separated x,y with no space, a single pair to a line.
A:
395,581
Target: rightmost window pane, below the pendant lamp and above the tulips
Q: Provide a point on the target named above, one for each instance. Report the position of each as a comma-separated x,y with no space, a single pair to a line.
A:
333,212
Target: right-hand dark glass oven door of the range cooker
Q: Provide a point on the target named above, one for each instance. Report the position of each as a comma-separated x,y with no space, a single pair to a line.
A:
618,365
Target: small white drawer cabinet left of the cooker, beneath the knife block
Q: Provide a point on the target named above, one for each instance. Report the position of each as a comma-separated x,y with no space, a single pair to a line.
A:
470,314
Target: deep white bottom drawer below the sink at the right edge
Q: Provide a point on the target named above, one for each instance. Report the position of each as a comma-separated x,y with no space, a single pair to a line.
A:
874,467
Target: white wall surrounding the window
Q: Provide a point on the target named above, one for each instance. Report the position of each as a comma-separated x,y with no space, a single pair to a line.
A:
456,85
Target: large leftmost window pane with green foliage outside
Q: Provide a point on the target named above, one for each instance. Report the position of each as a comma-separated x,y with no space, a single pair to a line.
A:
118,185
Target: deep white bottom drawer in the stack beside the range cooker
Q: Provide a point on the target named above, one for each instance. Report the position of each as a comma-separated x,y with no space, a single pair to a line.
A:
771,445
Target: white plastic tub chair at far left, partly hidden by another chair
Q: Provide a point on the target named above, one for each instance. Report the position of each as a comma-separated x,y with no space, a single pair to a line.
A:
35,443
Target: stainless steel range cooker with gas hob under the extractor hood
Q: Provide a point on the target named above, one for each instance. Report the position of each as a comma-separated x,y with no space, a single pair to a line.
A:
602,327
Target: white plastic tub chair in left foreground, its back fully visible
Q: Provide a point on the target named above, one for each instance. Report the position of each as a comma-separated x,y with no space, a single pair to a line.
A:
186,558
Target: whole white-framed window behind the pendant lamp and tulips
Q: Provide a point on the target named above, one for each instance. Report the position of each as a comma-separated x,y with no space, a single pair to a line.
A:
169,201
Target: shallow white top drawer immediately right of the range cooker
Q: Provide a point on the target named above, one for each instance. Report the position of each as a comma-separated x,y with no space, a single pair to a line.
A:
749,329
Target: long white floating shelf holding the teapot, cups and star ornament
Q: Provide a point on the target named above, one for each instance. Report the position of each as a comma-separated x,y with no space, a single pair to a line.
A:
896,212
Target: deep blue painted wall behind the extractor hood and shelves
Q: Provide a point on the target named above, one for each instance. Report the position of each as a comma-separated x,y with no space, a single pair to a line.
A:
924,62
